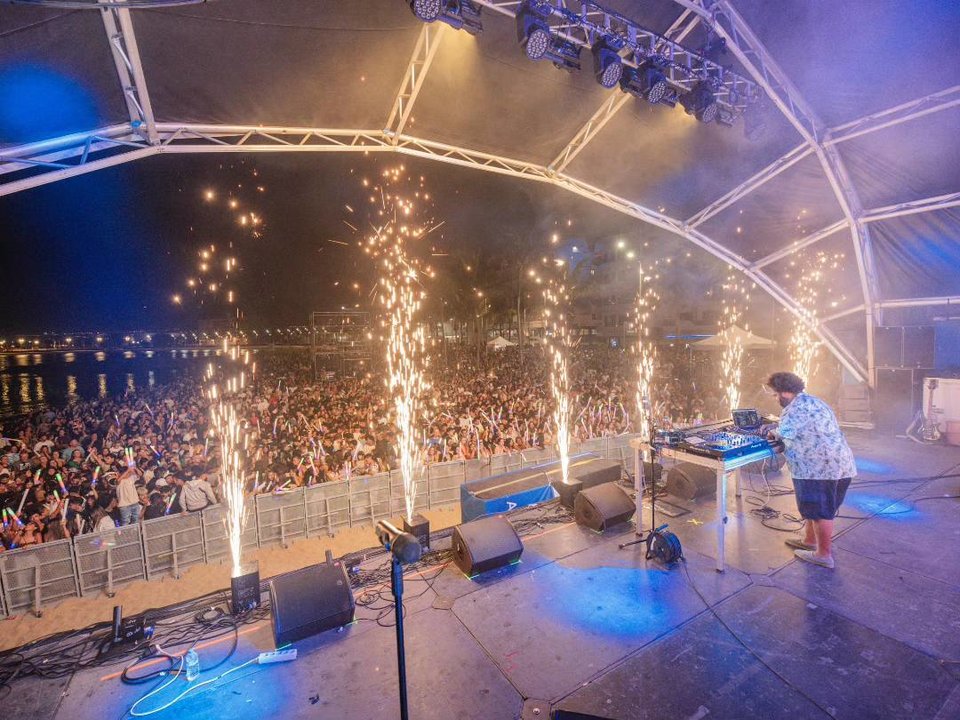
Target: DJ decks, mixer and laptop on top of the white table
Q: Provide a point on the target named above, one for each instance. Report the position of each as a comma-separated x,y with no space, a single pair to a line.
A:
723,440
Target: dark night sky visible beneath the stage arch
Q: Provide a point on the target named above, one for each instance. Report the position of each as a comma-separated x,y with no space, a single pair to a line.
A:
108,250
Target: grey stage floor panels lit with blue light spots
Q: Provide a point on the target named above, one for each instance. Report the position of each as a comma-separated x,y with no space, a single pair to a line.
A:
583,626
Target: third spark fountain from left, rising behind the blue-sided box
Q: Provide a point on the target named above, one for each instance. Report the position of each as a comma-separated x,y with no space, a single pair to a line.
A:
559,343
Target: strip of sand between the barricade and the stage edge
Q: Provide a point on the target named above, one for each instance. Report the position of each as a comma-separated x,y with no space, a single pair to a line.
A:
197,580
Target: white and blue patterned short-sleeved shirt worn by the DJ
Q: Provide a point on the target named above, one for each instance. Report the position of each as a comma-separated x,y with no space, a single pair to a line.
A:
814,444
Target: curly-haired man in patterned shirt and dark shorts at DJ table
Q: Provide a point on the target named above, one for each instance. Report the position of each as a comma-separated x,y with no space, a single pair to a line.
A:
819,459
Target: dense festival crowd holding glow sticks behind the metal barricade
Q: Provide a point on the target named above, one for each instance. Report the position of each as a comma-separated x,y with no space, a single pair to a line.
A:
97,464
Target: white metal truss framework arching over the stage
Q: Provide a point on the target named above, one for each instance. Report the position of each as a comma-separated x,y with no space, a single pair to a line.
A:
581,23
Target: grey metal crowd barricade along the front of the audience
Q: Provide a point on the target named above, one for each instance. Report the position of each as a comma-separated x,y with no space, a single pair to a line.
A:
33,577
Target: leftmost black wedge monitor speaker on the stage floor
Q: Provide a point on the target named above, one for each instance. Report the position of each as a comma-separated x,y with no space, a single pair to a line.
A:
308,601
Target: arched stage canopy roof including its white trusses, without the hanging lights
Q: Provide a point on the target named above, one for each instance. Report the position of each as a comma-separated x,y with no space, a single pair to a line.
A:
860,153
